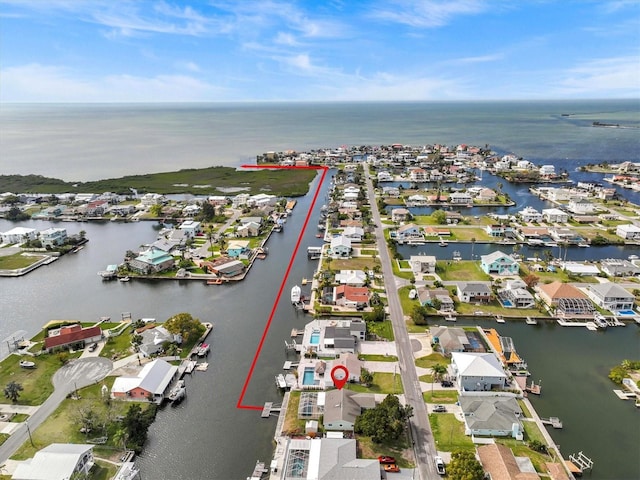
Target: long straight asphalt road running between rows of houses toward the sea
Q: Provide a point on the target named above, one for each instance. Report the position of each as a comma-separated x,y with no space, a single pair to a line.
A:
424,445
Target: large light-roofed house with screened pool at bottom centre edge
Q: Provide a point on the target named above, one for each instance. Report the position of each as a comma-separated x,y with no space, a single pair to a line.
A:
327,459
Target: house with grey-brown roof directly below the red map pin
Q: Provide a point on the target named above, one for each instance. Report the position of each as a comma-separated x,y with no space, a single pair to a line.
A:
343,406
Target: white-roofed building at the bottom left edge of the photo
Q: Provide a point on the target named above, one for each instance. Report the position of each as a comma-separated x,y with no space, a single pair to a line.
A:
57,461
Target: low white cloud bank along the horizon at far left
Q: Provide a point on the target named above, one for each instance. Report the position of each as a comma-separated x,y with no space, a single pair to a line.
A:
45,83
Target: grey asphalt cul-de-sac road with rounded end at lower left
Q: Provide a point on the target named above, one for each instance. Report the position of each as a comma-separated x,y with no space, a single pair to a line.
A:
74,375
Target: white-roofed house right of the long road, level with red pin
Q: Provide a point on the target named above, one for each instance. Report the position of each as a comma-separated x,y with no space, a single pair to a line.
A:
477,371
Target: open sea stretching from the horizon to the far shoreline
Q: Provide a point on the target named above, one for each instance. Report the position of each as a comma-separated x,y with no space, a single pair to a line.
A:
80,142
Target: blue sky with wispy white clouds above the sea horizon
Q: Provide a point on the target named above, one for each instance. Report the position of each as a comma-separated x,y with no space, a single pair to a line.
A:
315,50
